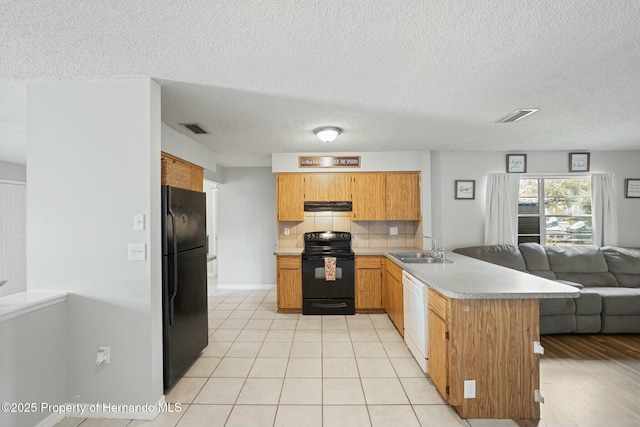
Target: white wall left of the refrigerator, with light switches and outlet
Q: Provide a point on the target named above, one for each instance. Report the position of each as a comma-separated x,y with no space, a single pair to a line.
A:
94,161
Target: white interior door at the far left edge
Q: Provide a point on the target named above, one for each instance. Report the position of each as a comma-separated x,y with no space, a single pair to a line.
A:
13,257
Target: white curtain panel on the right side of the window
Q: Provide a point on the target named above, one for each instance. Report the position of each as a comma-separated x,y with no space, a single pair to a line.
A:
603,210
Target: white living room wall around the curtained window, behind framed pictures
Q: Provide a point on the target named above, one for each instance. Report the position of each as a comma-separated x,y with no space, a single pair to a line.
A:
459,223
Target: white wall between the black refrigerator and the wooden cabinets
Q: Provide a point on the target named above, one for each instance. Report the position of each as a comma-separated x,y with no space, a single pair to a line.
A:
247,227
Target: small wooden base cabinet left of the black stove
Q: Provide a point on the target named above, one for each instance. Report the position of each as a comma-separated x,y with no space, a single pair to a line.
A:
289,283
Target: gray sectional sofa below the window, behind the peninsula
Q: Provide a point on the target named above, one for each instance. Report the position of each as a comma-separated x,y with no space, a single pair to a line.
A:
608,279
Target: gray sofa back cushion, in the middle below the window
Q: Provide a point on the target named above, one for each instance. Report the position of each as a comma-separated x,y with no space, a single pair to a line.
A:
582,264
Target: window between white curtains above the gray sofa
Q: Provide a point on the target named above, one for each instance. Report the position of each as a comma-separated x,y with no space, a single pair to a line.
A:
555,211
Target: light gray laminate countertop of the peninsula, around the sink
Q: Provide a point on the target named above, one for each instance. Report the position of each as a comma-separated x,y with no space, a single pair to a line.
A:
469,278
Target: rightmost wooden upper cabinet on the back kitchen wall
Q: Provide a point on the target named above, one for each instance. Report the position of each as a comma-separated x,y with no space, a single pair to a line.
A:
402,200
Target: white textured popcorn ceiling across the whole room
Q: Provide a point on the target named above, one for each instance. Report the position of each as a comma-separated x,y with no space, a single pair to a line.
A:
395,75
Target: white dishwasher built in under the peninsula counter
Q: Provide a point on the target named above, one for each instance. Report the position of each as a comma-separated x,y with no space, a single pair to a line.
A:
415,321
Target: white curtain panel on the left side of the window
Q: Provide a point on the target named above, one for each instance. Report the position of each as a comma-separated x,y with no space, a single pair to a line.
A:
501,221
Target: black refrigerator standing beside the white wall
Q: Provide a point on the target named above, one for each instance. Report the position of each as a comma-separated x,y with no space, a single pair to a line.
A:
184,280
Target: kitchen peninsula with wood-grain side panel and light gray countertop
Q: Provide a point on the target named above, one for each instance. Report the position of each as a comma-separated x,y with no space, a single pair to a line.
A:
483,327
